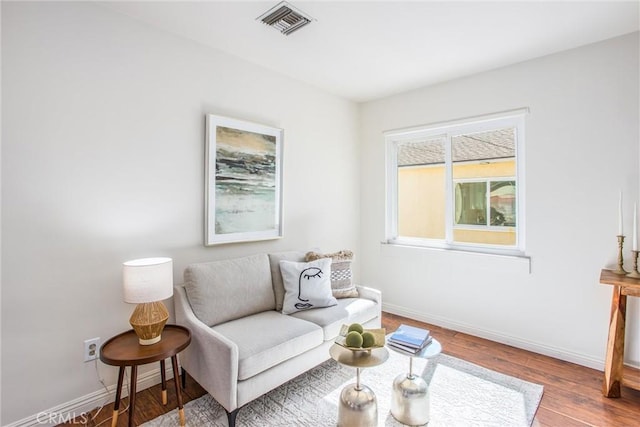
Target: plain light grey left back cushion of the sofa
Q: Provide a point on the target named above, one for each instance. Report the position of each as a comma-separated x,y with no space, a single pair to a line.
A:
220,291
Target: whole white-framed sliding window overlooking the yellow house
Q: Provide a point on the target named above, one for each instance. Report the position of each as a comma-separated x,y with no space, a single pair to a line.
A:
458,185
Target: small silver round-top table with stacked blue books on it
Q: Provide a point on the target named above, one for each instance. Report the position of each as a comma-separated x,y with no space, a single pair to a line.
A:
410,397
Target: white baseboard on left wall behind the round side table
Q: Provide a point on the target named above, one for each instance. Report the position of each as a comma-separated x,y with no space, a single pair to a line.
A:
78,407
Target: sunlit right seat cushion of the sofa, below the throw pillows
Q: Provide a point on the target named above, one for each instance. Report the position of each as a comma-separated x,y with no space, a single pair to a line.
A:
348,310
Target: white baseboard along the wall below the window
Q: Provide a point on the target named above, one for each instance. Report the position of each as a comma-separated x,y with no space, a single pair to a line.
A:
558,353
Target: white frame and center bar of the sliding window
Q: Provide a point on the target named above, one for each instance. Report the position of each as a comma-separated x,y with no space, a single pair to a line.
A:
446,130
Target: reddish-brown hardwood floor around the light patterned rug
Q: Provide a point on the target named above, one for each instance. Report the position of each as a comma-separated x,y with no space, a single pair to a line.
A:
572,393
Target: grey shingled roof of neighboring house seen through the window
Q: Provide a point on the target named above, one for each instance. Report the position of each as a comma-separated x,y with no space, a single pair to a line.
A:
496,144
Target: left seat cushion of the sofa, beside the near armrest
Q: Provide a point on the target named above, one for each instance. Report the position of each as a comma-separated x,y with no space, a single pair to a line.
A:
269,338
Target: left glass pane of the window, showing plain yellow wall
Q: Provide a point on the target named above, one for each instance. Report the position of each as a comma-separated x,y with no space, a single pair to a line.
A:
421,189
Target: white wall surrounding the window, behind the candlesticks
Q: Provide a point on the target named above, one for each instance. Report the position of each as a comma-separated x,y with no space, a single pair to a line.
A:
582,138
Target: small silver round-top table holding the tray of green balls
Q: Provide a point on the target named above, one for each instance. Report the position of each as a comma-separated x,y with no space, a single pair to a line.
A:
358,405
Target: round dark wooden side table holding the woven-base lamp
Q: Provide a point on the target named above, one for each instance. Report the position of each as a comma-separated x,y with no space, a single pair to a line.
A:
124,350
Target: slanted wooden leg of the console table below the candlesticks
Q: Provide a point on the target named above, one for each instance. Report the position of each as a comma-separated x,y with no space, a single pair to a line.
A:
615,345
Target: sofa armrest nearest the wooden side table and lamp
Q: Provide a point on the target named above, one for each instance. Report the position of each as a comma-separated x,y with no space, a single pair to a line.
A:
211,359
